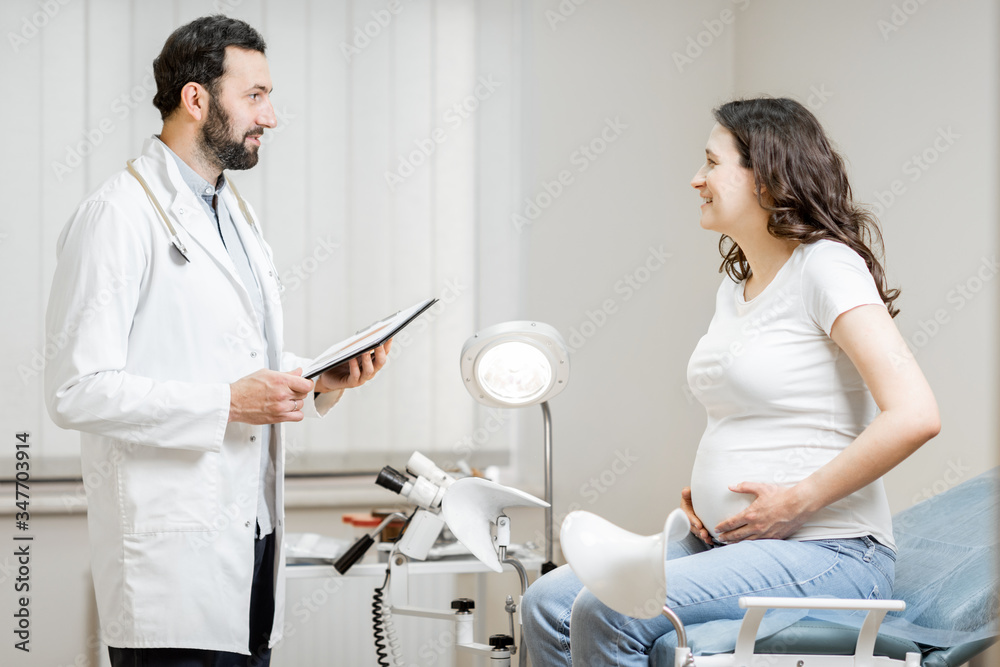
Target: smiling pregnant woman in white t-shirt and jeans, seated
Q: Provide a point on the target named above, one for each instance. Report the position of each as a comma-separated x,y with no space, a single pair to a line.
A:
811,393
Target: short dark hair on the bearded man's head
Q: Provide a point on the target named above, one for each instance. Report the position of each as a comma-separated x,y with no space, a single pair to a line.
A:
196,52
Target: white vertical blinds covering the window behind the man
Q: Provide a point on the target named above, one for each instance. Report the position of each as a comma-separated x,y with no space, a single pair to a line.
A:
390,178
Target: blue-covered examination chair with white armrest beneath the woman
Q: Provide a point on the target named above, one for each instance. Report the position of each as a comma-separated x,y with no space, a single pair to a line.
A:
943,610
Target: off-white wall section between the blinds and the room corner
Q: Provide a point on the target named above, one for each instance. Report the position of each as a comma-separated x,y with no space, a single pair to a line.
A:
625,400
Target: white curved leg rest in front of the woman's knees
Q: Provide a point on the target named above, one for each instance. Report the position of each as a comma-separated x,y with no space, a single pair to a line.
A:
624,570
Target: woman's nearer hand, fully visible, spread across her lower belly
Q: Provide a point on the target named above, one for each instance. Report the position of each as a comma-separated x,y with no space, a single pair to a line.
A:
776,513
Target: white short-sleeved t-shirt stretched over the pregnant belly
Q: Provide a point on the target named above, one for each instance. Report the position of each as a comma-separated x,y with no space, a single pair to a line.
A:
782,398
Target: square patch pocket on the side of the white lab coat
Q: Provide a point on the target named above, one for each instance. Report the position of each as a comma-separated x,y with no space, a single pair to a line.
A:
168,490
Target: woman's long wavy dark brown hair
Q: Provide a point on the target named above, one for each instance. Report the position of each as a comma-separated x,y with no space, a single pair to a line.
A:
810,197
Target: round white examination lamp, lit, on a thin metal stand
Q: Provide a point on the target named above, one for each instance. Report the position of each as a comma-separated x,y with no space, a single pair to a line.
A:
513,365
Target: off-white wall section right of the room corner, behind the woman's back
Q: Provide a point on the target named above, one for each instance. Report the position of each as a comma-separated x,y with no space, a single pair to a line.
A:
892,95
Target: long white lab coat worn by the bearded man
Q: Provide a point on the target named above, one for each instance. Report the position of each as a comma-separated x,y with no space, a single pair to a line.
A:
148,344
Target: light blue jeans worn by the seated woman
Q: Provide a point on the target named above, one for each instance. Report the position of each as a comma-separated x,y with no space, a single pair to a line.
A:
565,624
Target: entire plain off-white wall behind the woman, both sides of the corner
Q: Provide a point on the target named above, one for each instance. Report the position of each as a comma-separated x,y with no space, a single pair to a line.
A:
881,100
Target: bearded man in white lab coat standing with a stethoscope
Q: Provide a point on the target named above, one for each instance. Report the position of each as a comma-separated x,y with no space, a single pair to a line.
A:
172,367
